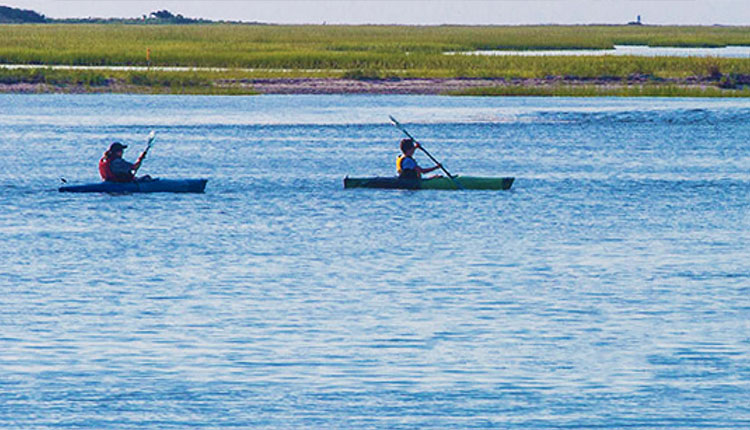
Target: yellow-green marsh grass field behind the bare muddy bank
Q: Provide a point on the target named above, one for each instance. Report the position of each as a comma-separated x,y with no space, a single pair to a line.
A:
365,51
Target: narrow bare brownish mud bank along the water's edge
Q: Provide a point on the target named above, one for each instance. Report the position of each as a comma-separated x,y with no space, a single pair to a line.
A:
407,86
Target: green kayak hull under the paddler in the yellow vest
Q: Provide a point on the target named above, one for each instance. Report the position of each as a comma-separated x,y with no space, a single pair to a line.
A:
439,183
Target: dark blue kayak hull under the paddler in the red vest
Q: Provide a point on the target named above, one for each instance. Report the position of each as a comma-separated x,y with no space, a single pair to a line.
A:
150,186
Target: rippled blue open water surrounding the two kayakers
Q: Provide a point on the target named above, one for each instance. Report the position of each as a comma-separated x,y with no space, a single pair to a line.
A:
609,289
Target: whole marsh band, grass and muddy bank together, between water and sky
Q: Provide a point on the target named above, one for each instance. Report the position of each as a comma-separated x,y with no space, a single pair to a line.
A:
238,59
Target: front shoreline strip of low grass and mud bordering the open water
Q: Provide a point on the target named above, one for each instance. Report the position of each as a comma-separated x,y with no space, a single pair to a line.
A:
41,81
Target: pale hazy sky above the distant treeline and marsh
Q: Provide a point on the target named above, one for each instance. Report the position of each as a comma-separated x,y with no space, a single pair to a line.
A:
424,12
